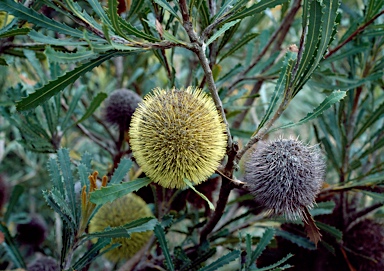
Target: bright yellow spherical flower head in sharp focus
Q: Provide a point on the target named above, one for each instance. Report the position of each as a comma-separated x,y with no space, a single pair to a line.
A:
177,135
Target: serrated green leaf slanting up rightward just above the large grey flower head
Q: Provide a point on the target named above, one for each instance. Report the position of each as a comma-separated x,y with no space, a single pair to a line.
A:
333,98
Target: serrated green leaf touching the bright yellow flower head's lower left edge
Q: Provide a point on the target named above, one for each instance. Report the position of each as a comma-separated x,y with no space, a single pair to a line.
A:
110,193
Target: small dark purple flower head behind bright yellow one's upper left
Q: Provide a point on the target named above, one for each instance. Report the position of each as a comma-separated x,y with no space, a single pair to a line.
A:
120,106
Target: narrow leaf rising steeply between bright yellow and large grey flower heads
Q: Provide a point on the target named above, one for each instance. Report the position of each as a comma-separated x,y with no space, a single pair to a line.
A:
279,88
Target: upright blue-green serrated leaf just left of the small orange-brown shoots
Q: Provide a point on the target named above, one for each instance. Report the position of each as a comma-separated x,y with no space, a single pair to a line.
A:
66,171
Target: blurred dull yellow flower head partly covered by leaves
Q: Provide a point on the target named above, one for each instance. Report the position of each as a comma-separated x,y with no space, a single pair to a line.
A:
118,213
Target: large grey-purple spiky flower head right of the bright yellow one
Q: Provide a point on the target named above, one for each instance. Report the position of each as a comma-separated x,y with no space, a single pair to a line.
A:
285,175
